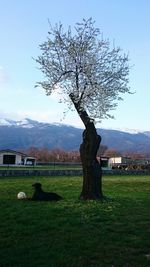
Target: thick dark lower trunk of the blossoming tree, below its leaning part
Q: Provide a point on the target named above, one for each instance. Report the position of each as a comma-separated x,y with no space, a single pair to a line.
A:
92,172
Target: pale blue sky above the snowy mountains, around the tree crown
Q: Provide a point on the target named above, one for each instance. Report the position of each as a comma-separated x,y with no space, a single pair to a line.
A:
24,26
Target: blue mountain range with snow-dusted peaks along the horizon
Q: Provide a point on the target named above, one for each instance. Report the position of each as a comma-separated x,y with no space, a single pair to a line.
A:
28,133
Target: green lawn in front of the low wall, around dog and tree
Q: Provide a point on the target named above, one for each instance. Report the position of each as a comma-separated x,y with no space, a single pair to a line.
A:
72,233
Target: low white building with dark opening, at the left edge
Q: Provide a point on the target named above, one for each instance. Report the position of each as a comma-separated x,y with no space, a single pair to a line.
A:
12,157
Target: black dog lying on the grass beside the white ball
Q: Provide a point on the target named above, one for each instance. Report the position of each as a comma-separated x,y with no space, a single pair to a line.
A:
40,195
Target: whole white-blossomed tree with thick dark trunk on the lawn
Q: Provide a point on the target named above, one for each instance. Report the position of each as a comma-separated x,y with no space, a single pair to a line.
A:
91,76
